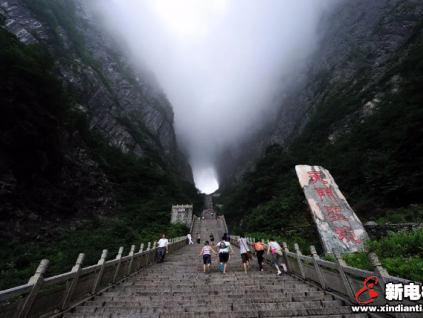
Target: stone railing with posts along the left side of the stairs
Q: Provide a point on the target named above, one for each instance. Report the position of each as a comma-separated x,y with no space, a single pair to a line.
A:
42,296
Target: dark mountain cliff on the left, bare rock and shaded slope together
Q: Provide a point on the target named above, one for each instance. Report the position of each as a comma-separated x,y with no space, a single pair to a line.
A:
56,165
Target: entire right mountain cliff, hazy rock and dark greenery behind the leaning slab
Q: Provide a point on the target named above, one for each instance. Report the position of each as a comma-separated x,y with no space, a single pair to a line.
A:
354,108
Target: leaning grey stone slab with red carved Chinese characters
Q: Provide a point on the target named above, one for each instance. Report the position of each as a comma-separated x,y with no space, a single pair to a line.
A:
338,226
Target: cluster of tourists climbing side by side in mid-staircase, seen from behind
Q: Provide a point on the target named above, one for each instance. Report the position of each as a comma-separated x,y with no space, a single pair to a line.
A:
224,250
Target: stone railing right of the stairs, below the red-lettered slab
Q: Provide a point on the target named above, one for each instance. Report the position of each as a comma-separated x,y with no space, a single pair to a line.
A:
341,280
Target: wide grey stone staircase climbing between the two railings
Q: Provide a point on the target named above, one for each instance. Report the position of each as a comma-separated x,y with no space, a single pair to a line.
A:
178,288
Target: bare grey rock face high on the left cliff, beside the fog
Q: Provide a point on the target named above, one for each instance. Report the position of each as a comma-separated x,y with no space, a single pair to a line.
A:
124,102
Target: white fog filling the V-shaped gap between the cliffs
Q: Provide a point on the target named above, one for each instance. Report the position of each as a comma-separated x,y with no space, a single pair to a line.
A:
220,62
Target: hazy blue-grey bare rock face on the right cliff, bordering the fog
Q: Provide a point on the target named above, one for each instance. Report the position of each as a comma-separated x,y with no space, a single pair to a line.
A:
360,41
